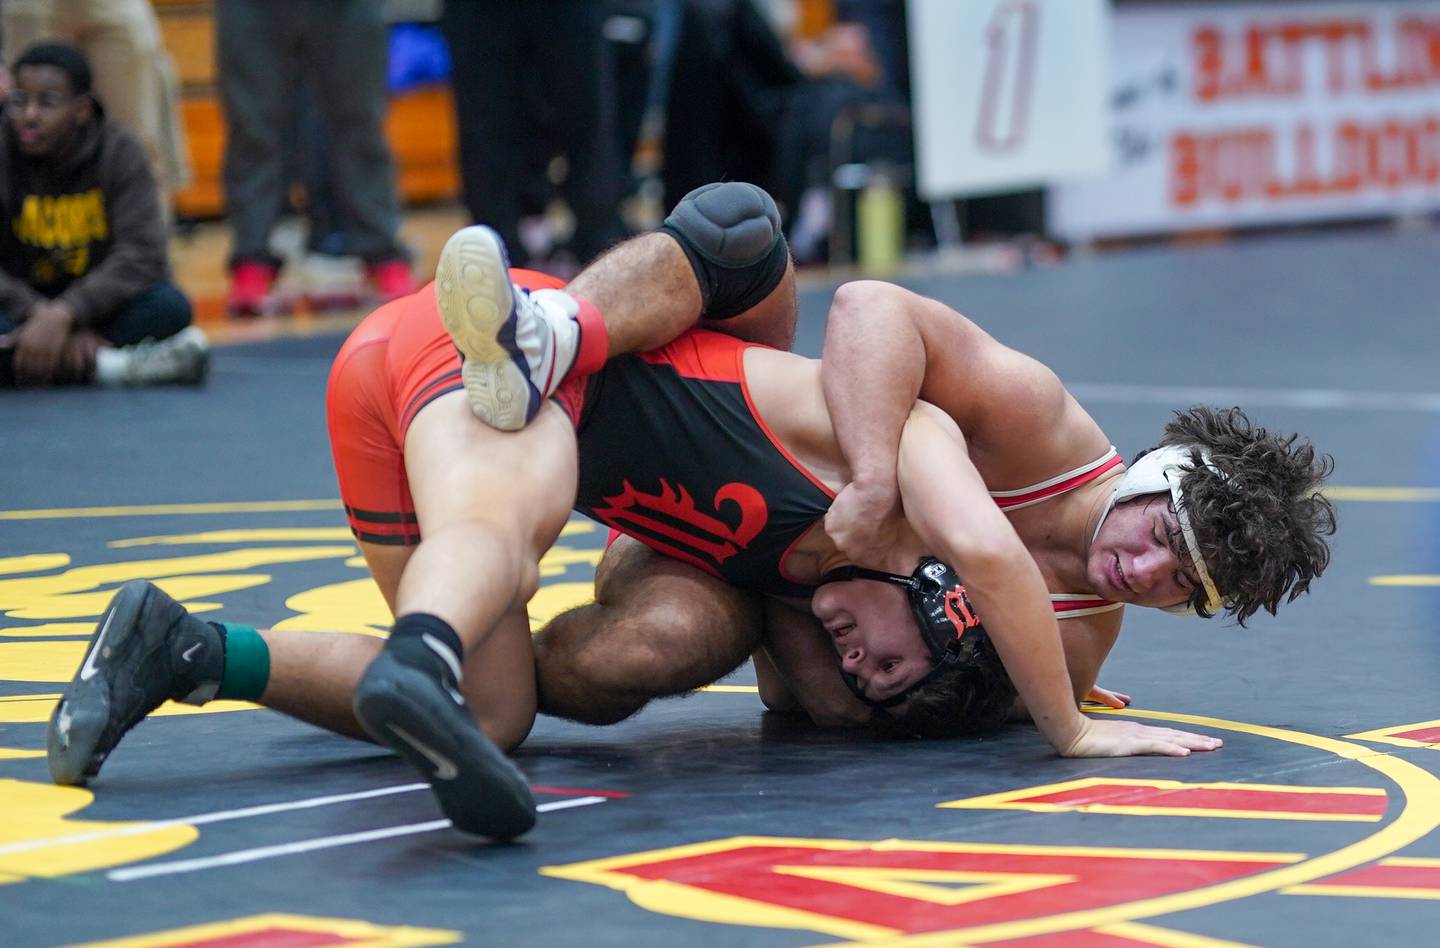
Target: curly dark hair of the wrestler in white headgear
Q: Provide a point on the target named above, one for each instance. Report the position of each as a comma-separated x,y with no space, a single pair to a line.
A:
1262,522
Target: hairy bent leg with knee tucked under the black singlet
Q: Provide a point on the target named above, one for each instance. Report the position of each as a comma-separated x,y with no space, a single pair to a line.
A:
659,627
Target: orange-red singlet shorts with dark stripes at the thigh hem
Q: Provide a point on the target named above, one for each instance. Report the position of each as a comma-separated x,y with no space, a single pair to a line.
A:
395,364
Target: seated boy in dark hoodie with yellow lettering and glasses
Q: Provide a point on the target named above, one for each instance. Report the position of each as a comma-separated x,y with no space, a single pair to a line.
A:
84,277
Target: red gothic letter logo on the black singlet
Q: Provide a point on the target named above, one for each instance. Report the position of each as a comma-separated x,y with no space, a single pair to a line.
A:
670,522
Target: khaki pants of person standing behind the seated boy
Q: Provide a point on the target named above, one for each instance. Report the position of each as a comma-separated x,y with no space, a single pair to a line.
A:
135,76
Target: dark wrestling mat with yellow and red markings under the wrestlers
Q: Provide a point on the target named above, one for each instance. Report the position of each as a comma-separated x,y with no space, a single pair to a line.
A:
706,822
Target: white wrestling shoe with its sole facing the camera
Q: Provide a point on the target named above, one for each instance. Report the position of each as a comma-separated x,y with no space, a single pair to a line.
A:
516,345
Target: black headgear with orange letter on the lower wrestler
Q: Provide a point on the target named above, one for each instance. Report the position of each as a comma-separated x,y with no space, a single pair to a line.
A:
948,623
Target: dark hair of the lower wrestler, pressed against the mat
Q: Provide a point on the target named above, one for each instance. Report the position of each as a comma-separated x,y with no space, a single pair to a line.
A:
971,699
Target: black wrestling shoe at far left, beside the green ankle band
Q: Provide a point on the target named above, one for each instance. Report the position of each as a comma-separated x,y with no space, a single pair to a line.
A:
146,649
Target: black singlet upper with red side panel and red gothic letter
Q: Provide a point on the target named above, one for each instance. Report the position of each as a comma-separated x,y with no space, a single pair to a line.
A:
673,456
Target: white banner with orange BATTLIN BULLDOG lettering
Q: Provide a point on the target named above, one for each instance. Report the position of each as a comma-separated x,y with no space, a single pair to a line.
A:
1228,115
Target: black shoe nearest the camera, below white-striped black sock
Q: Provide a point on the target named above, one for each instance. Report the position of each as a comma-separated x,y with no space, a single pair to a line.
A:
427,723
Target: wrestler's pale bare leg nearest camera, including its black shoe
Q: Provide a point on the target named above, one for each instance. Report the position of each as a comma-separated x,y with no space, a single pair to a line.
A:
489,505
